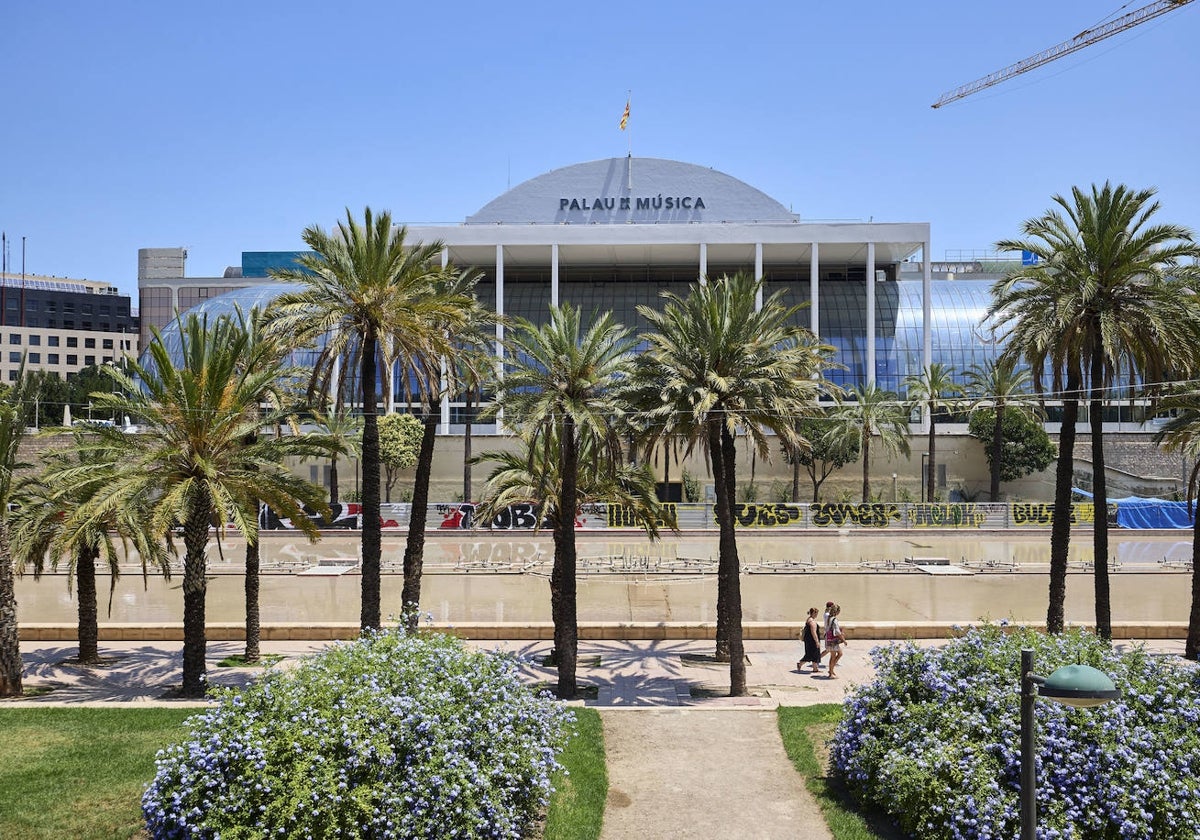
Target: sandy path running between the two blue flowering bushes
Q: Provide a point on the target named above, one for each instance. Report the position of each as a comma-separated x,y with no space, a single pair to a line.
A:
718,775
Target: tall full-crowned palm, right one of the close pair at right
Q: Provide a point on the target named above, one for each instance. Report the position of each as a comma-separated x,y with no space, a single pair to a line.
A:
1119,310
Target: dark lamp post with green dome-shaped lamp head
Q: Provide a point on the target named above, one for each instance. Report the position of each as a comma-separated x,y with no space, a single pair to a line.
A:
1079,686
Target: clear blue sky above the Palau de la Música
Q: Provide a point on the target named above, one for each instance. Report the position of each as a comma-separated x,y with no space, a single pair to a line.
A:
230,127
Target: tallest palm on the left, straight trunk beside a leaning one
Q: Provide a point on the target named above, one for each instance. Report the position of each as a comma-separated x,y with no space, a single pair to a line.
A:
367,290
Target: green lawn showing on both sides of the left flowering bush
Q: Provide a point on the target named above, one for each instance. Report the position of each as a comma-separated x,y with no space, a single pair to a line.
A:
80,773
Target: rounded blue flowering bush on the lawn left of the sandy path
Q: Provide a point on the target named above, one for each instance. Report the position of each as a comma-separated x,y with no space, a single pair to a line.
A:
392,736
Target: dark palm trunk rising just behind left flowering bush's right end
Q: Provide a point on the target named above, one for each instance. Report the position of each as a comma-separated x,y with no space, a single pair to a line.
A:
563,583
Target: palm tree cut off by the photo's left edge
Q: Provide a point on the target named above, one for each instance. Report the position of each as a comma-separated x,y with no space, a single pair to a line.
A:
14,419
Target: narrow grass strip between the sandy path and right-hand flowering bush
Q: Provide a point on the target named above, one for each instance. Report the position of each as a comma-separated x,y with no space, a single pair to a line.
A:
805,731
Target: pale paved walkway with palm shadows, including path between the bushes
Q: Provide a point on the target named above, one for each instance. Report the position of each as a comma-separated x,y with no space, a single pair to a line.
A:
683,761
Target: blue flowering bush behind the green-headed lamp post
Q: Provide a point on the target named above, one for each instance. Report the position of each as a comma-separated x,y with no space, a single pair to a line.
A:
935,742
